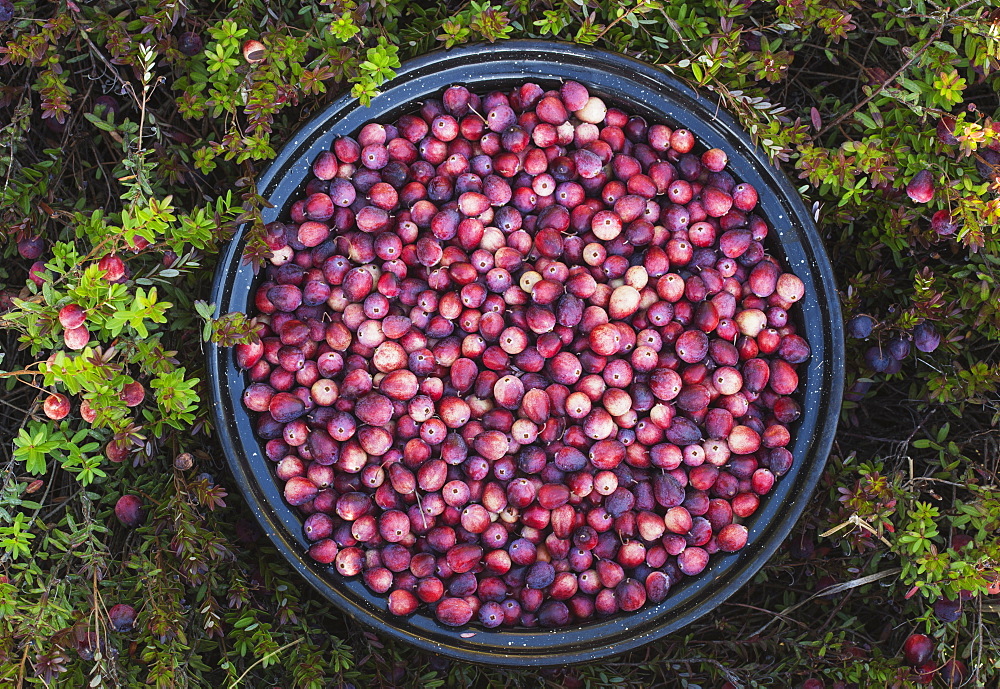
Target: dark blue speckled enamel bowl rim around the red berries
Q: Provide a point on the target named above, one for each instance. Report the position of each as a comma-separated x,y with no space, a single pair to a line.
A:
639,89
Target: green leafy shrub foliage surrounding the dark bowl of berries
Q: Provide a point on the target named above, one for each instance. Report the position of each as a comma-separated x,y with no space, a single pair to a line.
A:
846,96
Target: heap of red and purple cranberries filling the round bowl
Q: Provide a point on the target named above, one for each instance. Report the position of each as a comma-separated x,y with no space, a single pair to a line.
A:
524,358
